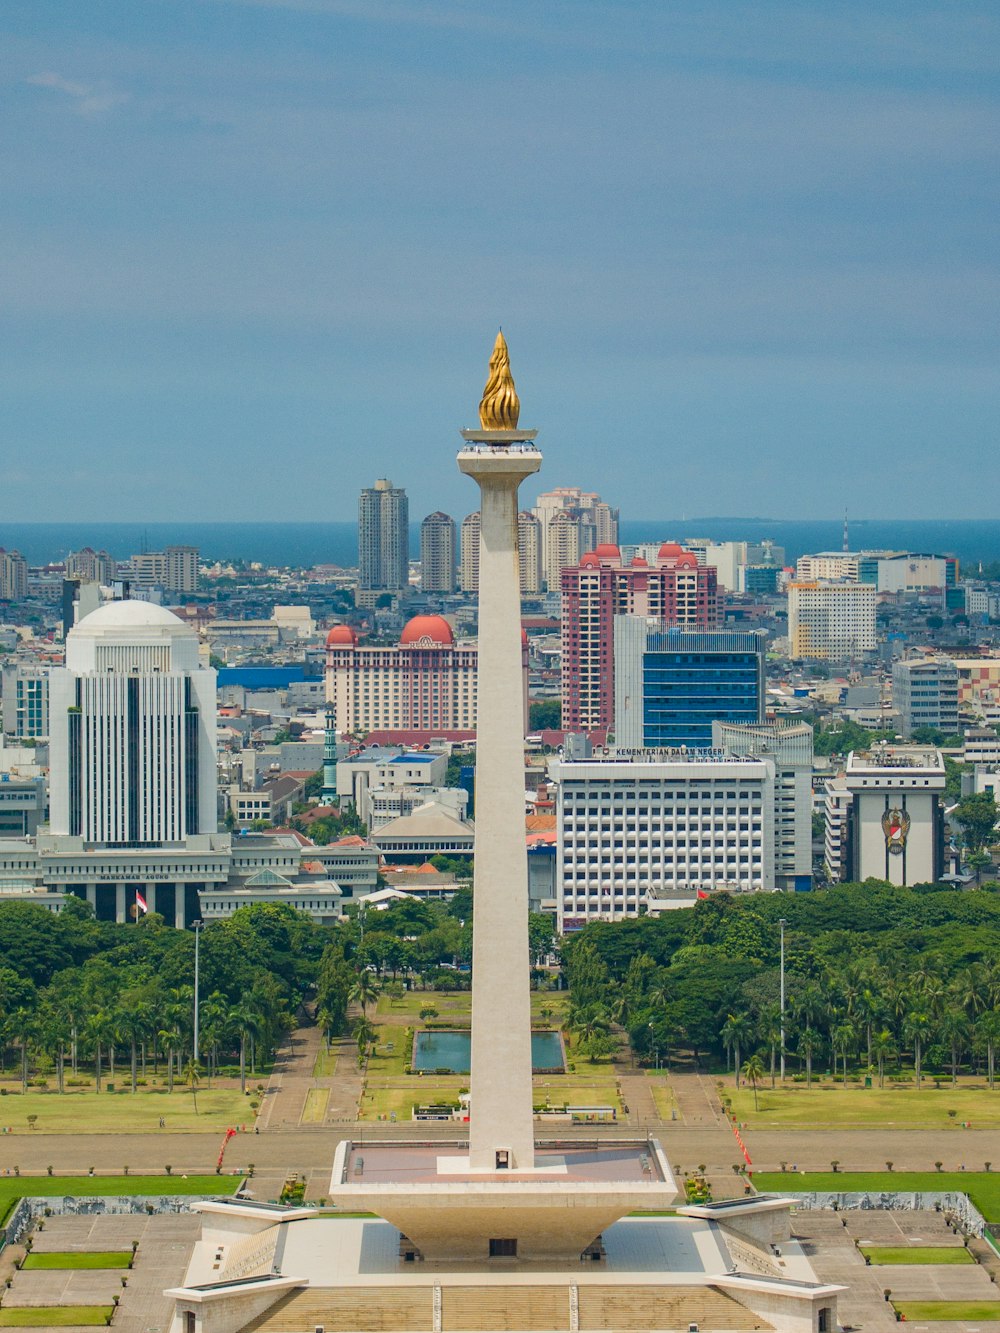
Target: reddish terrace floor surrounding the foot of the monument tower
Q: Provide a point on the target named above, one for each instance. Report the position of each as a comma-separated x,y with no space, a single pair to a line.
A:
425,1164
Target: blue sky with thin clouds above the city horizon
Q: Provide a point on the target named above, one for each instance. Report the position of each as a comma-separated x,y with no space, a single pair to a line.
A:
255,253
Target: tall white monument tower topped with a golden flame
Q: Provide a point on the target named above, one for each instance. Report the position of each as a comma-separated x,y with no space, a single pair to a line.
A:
499,458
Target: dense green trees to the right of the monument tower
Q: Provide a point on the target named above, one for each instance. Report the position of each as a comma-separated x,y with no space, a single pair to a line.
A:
878,980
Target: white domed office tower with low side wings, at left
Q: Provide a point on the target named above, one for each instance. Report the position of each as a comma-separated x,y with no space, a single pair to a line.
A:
134,790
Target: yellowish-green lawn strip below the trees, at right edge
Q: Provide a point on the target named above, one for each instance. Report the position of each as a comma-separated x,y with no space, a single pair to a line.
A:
795,1106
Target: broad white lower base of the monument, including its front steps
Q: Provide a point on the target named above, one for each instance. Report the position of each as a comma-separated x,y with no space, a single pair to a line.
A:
722,1270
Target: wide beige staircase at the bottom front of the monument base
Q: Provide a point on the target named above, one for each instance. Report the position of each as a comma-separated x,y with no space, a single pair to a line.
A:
498,1310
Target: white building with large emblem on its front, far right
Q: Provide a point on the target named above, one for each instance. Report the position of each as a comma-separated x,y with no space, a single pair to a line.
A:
885,816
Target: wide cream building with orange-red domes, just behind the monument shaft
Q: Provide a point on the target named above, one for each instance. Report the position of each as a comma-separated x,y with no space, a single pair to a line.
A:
422,688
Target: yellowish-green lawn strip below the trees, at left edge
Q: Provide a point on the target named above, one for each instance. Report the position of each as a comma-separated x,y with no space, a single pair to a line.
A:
78,1112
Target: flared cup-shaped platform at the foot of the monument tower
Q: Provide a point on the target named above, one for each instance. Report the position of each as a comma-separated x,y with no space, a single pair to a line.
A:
449,1211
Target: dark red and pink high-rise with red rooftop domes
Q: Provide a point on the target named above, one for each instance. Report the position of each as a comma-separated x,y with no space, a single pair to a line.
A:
677,591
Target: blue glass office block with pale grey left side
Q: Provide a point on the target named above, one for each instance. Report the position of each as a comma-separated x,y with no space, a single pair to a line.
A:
673,684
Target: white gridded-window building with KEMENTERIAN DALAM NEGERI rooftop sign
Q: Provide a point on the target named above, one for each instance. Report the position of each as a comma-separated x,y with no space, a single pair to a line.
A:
653,830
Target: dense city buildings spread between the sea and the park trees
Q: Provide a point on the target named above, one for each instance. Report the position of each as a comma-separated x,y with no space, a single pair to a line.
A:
189,738
